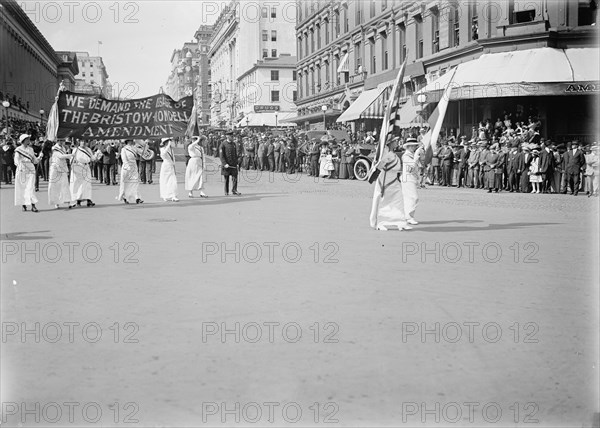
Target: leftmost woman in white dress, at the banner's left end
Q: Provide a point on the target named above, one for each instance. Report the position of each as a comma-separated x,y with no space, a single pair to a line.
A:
25,161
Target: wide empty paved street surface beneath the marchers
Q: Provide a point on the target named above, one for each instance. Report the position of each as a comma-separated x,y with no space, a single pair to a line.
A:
282,307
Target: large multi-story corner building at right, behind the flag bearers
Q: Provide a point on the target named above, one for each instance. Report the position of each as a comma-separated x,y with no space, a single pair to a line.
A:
349,53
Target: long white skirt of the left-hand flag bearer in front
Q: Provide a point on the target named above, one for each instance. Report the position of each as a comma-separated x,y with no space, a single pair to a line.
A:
389,209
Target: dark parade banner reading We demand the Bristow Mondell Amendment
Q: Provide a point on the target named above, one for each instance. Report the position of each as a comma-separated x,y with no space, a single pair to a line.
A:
96,118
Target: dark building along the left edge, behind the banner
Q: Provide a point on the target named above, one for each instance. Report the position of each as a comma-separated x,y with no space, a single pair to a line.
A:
30,69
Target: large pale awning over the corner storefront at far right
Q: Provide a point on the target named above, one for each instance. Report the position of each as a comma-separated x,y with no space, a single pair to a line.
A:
530,72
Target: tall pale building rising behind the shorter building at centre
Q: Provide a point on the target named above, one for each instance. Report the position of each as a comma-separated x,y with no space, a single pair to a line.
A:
244,34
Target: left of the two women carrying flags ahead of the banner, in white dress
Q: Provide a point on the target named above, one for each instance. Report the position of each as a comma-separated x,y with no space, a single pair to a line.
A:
387,209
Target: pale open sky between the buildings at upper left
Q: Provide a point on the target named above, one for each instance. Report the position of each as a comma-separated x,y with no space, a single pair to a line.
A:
138,37
